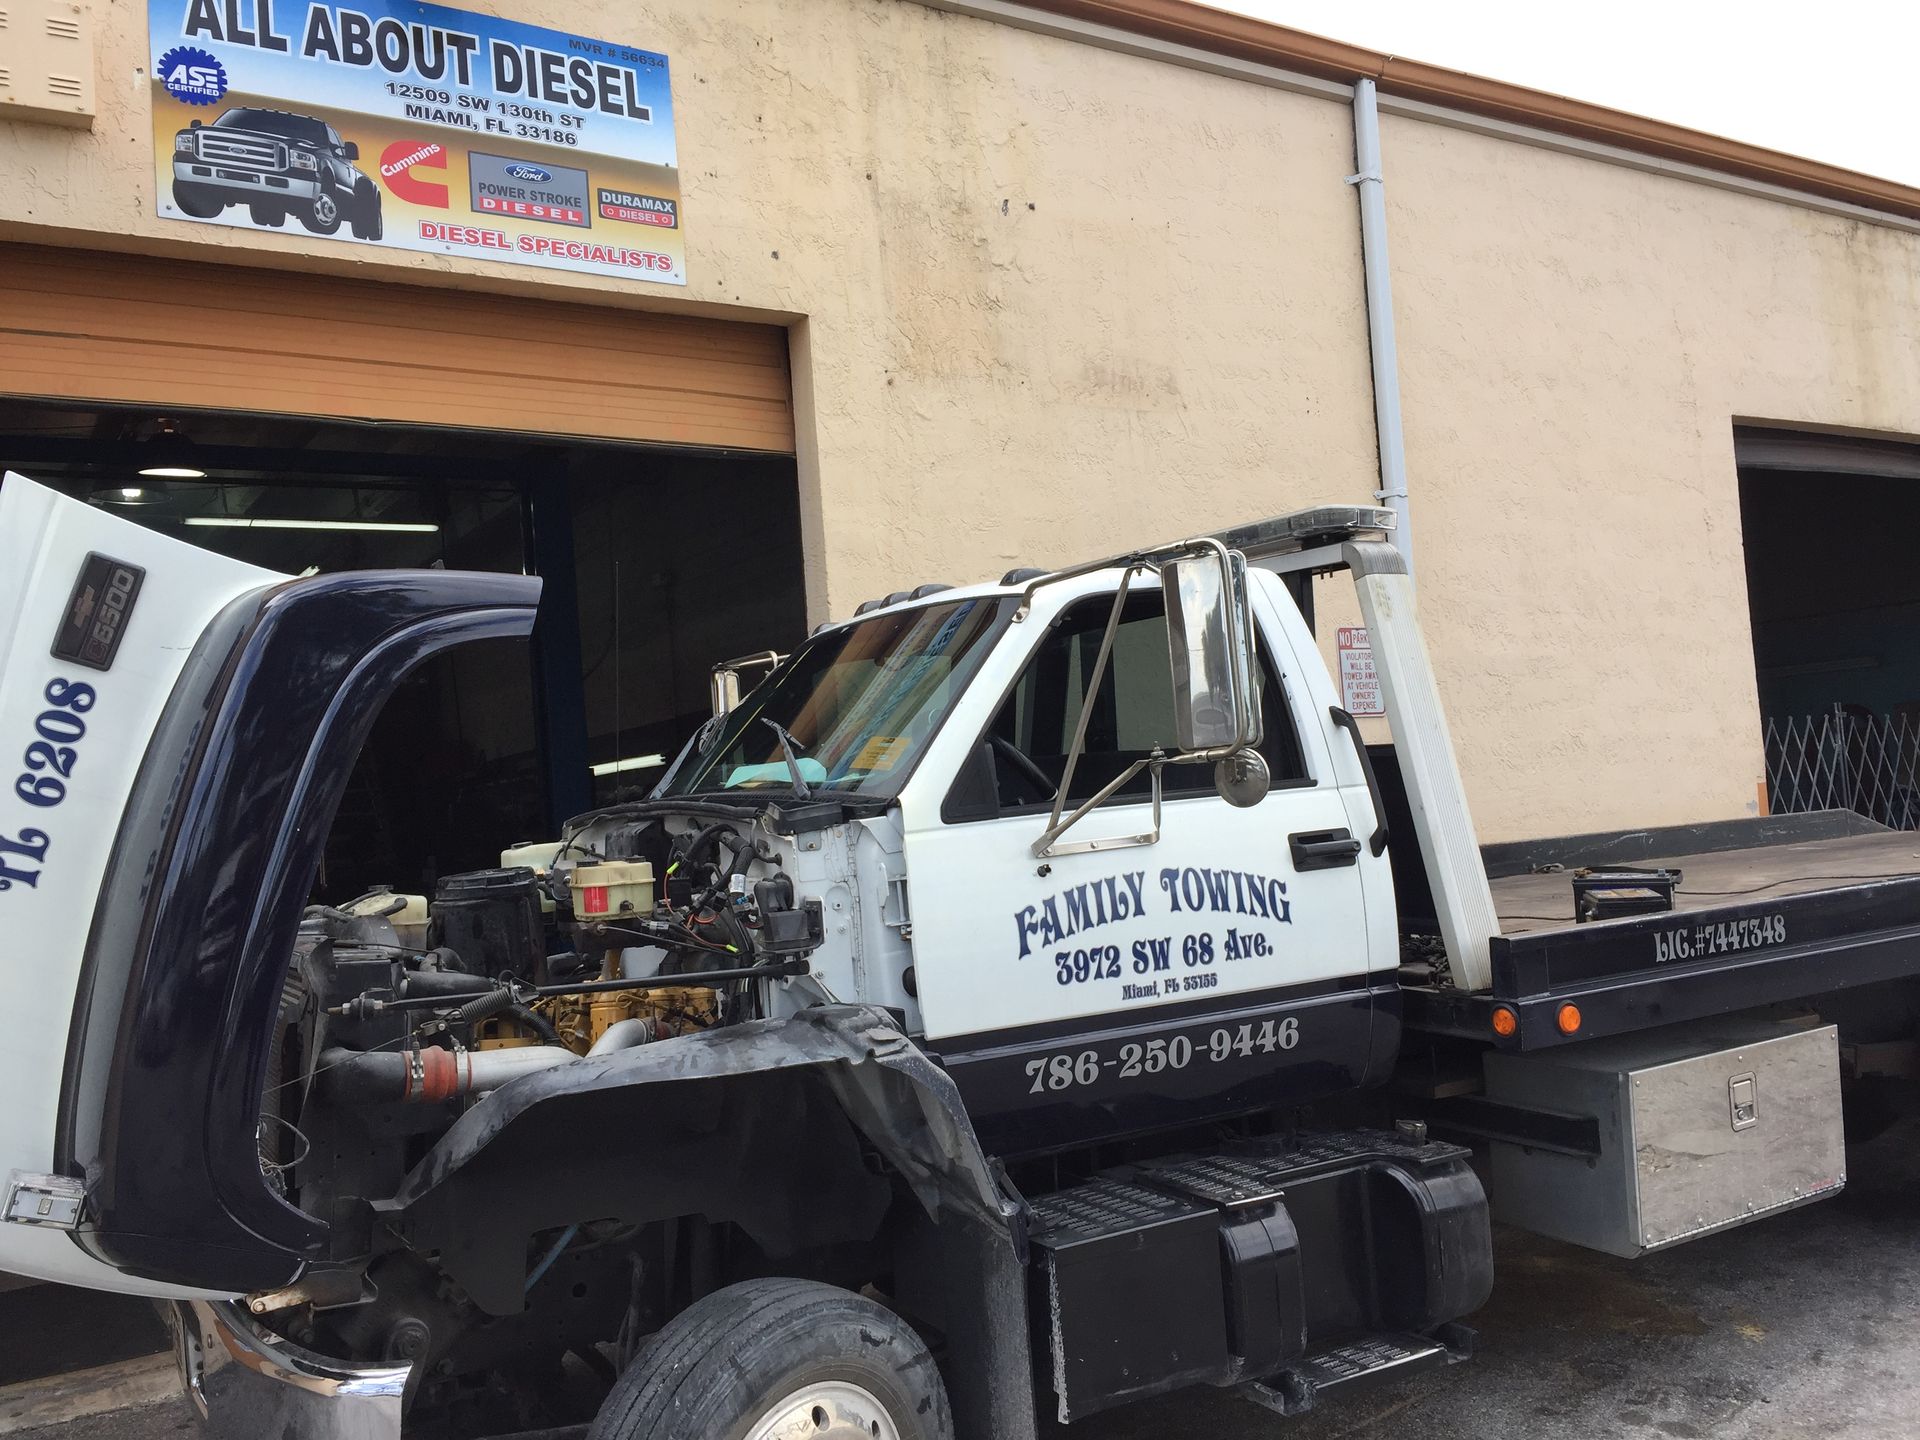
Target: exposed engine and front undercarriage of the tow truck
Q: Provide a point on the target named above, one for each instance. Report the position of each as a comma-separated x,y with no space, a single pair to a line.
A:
400,1015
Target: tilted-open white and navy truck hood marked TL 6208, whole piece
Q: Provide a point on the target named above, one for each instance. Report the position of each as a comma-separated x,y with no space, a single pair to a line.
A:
176,732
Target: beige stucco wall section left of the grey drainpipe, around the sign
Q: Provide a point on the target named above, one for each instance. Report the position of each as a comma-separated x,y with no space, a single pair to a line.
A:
1051,299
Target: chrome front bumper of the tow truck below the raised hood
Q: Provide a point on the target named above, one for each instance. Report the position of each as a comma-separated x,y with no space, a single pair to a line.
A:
252,1385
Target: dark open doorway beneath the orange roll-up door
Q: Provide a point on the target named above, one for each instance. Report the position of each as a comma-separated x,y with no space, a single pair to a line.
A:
658,564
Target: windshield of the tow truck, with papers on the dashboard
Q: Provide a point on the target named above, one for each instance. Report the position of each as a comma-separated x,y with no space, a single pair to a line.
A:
859,706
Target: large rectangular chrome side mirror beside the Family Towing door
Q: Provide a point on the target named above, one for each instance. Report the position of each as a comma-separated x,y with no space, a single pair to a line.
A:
1211,642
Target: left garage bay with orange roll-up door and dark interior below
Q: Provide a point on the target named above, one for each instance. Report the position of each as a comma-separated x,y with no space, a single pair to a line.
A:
640,464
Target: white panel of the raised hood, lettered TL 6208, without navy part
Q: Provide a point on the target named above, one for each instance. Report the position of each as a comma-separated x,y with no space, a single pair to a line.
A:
97,623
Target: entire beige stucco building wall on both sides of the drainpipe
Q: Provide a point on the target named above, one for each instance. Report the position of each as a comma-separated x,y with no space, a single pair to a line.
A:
1051,300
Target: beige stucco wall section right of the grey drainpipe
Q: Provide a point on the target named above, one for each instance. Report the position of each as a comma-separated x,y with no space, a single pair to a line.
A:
1577,341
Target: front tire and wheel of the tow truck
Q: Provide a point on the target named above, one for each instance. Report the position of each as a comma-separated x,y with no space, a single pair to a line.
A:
773,1358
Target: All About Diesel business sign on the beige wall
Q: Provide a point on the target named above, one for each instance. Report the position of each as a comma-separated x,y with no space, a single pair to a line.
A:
418,128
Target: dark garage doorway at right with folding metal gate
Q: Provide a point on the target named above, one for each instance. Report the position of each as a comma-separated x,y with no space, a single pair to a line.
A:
1835,596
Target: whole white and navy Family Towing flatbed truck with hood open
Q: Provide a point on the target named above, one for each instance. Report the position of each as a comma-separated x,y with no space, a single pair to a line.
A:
1022,999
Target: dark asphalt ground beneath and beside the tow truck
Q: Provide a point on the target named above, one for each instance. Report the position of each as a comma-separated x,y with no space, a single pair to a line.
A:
1798,1326
